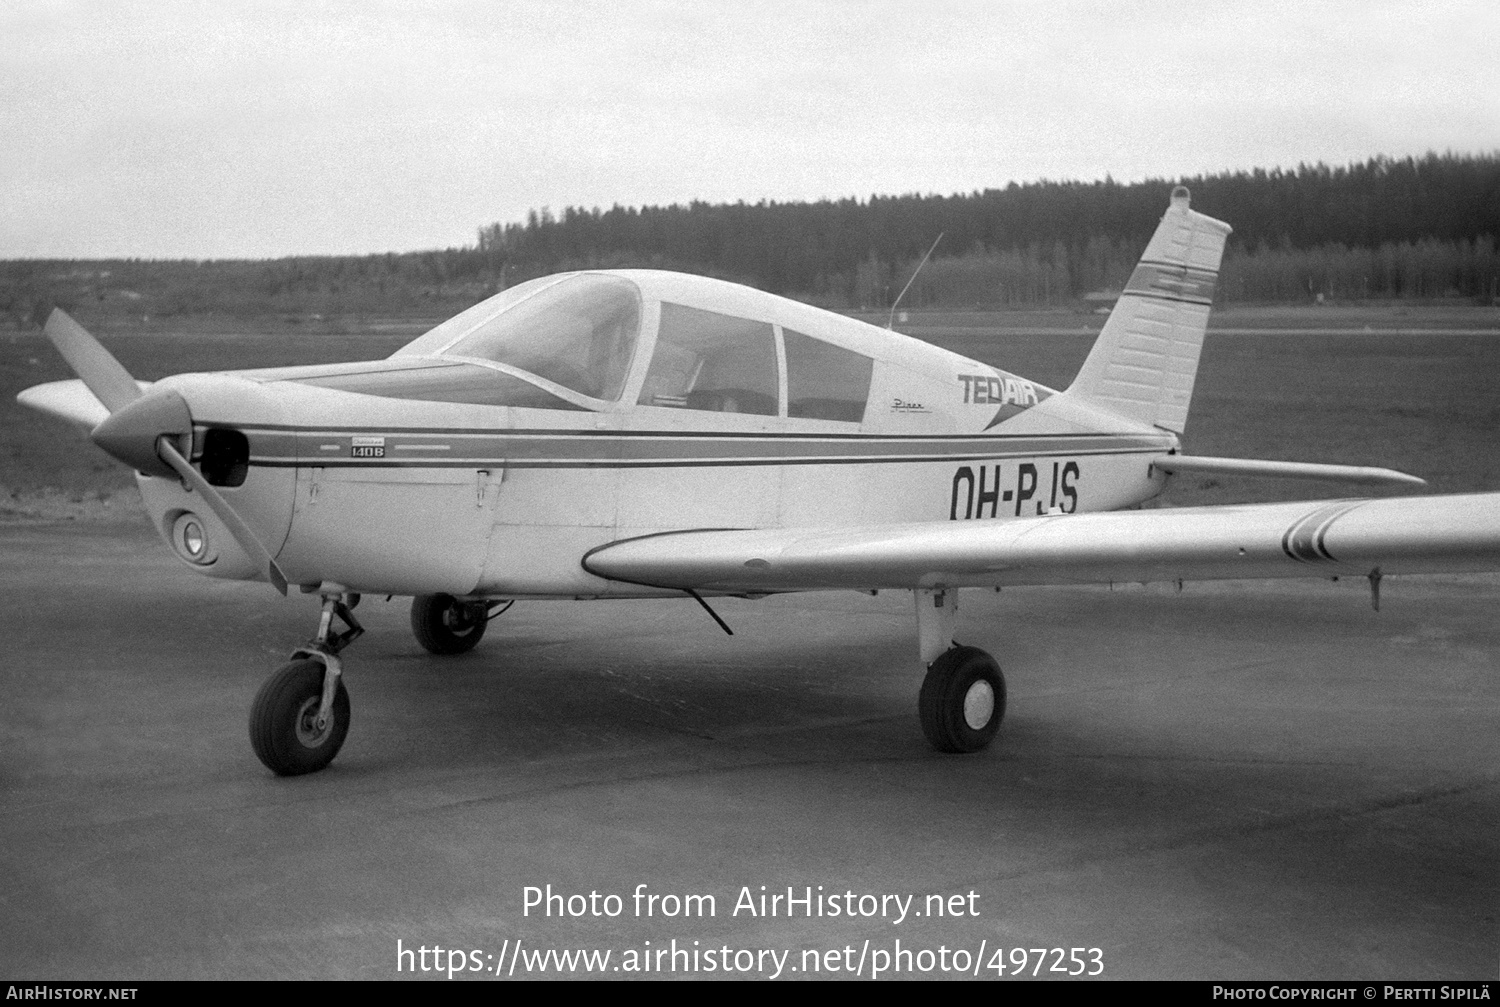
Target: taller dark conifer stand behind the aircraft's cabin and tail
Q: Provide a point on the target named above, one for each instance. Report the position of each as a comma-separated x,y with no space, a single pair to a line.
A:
1067,236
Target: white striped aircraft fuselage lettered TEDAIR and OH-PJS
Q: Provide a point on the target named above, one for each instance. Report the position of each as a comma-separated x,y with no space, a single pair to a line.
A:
491,454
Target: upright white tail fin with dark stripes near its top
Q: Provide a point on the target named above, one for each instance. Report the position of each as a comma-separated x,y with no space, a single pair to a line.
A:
1147,356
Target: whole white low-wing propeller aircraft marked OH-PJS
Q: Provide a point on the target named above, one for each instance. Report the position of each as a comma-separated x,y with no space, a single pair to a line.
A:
647,434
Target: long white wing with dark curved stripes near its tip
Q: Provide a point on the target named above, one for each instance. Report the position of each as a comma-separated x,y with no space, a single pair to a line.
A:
1327,538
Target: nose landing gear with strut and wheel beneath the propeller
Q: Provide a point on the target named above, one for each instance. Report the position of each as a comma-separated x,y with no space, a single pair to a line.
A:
302,714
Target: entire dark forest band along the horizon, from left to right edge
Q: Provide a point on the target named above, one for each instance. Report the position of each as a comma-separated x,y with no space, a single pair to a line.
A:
1387,229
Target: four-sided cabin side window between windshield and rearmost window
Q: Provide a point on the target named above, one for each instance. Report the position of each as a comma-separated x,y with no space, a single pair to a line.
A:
706,361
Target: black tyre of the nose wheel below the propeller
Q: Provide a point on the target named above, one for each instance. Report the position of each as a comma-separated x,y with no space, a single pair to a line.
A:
284,721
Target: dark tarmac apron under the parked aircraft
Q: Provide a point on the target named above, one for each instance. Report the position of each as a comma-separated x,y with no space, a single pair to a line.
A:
1241,781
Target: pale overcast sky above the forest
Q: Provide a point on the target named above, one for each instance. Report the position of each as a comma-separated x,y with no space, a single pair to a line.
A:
257,130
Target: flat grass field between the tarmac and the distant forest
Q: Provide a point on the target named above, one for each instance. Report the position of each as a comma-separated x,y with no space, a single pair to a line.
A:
1369,386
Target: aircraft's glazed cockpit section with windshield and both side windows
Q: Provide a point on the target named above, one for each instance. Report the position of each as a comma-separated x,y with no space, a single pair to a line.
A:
572,343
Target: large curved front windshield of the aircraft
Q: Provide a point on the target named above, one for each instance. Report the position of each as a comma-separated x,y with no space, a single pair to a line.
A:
580,332
